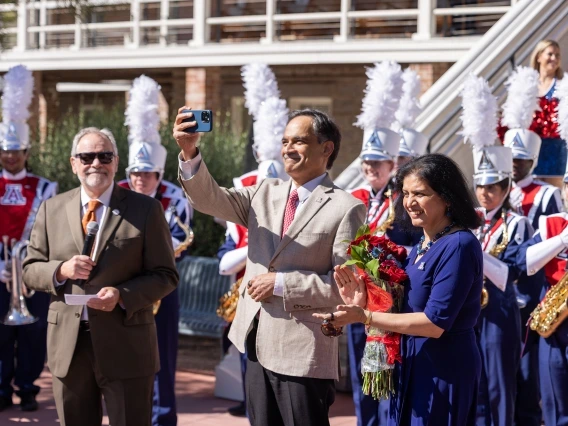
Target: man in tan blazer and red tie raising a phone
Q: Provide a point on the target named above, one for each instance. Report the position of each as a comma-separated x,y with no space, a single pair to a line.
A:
296,237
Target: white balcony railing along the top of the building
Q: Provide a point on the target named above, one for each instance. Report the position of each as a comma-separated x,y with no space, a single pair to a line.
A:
52,24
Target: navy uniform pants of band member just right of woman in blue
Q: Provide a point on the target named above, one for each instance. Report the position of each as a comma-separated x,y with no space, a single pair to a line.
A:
499,334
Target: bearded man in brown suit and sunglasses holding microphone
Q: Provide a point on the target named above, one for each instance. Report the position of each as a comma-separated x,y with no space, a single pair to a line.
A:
108,347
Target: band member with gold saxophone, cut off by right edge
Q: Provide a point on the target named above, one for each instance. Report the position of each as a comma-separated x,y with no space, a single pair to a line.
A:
546,254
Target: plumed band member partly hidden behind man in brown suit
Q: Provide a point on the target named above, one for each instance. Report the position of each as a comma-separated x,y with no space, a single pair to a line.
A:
145,171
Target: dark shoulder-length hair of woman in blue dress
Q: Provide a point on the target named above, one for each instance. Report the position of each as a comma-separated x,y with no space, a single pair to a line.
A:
444,176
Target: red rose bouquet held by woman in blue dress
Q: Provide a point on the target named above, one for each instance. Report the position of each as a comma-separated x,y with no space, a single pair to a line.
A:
380,263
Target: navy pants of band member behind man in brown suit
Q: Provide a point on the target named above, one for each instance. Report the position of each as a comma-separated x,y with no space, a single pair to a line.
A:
164,411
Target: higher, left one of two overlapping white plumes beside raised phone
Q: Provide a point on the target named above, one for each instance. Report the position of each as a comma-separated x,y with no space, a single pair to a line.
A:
260,84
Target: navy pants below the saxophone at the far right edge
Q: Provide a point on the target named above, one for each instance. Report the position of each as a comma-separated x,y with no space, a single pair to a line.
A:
553,364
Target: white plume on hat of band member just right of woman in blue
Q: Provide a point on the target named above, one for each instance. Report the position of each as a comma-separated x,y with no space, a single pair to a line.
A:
479,116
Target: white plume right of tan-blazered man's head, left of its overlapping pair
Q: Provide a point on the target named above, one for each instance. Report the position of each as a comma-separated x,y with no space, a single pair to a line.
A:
382,96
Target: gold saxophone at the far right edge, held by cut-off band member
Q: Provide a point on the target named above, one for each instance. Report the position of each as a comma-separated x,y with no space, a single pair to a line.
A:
552,310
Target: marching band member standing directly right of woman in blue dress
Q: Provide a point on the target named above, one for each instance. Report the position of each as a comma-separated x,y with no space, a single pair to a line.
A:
499,323
